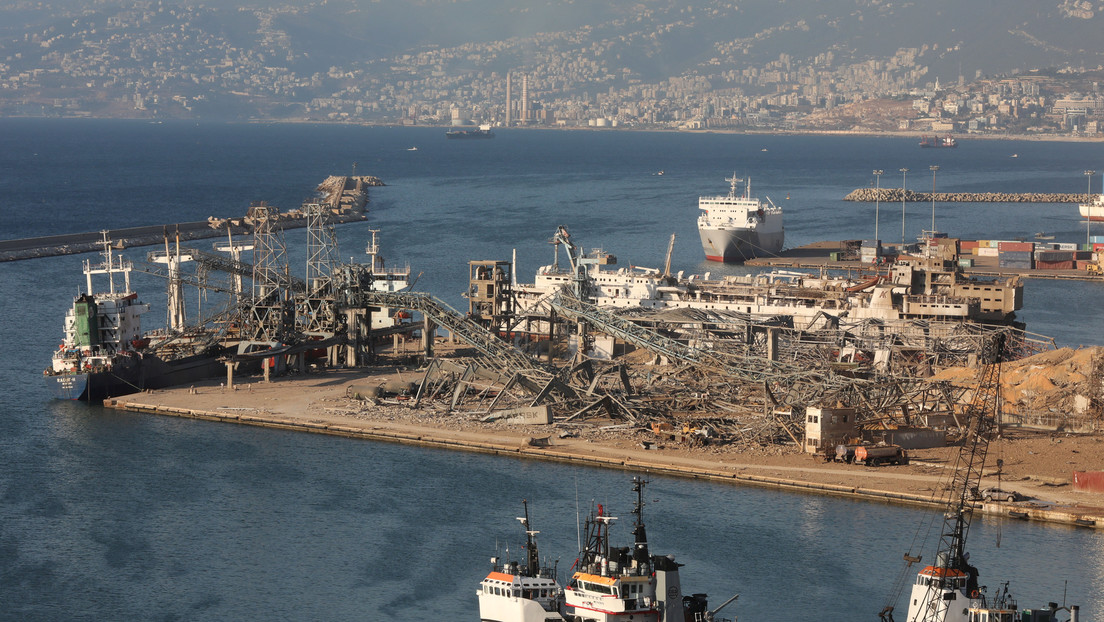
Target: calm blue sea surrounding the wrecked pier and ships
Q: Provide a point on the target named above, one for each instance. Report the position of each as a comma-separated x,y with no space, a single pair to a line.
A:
108,515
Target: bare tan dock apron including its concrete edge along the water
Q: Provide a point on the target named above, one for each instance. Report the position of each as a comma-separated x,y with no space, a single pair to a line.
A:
317,404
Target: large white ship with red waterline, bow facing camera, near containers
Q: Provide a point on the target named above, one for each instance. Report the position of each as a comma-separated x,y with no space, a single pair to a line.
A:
737,228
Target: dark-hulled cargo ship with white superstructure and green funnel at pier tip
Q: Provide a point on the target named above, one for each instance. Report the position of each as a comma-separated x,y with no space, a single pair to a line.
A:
104,353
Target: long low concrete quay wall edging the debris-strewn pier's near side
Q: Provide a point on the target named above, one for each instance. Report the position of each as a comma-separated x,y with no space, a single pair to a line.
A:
554,454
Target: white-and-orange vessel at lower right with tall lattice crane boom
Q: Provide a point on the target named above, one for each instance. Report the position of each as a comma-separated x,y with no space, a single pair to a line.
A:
949,591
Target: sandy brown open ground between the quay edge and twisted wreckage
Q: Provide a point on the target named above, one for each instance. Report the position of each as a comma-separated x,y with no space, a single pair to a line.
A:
1035,465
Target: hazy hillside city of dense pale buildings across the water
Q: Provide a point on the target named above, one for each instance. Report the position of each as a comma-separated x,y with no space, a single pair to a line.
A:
157,62
